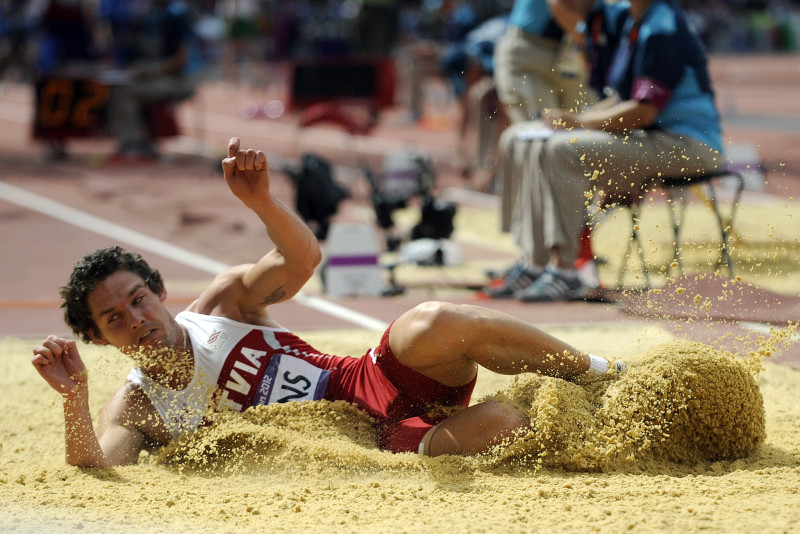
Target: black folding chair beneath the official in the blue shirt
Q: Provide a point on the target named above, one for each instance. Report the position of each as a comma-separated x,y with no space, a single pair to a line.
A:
675,188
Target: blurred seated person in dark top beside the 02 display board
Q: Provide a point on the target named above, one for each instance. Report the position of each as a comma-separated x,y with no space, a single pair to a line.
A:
162,68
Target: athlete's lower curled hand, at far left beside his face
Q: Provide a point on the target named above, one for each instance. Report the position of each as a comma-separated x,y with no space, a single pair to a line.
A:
58,361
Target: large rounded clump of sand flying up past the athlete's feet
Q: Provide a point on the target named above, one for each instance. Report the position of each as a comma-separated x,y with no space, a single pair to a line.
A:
691,403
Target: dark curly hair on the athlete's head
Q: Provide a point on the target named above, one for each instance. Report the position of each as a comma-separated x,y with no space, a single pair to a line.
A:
90,271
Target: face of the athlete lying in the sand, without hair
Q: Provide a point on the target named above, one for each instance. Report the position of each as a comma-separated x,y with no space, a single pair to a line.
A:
130,316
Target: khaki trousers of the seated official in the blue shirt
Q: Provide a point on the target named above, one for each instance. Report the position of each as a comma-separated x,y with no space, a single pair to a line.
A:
545,184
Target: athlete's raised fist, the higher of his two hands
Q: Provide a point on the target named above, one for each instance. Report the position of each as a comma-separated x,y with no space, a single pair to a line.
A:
247,174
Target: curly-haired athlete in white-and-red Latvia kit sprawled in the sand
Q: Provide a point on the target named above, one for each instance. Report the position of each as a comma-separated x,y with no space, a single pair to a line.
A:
226,351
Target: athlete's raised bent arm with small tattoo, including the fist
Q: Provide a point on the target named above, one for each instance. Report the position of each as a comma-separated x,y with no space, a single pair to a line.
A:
243,292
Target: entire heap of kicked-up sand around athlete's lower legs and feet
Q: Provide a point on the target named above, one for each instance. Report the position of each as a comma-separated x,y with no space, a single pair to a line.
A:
680,402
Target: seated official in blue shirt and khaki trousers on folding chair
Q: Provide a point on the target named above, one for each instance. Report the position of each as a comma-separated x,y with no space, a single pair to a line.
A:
658,118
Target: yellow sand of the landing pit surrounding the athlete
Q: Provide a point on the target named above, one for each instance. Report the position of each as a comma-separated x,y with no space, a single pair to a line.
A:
314,467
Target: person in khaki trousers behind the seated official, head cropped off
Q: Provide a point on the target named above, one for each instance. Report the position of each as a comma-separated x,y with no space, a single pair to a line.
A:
537,66
